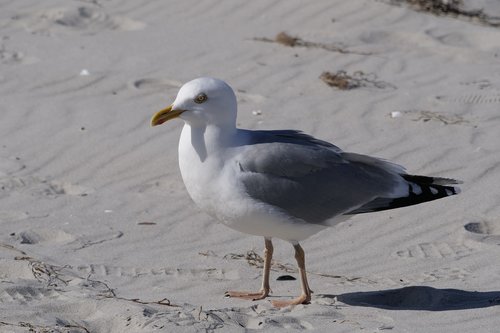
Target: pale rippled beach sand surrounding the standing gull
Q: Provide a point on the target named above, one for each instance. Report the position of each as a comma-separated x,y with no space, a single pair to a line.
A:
99,235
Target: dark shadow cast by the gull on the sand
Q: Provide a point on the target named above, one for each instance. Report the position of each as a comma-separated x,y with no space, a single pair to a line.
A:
421,298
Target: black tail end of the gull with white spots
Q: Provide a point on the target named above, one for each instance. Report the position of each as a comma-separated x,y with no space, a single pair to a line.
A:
420,189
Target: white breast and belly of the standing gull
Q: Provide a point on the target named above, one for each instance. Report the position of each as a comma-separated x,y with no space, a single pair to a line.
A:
212,181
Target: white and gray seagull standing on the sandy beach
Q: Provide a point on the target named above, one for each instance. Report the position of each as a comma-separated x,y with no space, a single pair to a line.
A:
281,184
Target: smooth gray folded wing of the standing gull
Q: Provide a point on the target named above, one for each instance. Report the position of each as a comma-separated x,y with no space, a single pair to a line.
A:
312,179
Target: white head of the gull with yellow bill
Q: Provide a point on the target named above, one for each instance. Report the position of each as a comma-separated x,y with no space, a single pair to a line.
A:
202,102
